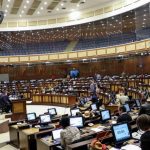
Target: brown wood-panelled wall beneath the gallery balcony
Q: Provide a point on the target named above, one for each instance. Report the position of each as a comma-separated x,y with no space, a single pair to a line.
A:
135,65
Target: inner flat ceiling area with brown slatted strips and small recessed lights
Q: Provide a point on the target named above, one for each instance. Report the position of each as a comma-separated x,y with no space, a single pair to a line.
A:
39,8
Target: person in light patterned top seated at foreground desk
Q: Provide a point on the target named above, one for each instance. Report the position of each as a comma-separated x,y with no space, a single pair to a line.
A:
68,134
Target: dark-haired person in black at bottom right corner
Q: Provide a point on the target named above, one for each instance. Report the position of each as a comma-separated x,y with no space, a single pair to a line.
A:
143,123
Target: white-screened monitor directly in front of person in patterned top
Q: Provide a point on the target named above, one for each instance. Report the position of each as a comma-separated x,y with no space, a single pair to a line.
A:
76,122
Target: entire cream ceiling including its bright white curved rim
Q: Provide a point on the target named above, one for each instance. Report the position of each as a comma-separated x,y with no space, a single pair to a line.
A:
43,14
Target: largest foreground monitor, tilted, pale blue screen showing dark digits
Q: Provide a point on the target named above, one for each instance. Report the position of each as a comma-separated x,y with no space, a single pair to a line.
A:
121,132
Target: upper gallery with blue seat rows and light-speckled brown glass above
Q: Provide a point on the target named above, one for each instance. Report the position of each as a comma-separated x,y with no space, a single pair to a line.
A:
124,28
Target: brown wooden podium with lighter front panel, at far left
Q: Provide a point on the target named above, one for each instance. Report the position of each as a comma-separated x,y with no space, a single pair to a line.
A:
18,109
